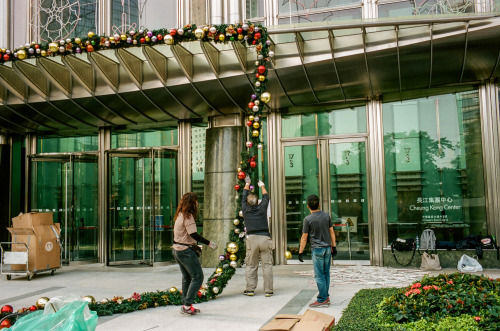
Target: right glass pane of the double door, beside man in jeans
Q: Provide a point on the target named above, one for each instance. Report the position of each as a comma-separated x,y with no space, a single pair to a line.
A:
348,200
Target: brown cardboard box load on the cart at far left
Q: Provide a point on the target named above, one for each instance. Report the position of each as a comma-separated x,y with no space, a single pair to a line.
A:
41,238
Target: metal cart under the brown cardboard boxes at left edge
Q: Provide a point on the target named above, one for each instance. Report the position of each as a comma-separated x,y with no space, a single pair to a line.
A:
19,257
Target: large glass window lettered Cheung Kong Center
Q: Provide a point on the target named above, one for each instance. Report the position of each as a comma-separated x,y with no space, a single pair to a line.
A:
434,167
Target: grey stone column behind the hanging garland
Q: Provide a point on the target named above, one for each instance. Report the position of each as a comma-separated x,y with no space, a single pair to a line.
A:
224,141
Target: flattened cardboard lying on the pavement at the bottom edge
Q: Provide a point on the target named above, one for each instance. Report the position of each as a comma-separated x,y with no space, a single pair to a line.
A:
310,321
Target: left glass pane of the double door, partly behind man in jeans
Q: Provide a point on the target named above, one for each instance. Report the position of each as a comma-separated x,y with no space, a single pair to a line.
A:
301,180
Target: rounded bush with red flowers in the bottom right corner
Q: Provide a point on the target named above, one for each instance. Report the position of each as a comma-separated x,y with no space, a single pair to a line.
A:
434,298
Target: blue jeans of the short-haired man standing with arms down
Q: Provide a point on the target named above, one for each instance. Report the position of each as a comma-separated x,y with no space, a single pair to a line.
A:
322,259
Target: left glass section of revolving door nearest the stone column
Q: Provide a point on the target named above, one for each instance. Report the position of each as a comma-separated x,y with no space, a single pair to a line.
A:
130,214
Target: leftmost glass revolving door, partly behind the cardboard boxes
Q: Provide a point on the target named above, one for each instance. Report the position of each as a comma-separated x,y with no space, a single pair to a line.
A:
67,186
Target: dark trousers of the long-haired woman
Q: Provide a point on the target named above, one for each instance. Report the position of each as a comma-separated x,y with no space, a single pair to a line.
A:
192,274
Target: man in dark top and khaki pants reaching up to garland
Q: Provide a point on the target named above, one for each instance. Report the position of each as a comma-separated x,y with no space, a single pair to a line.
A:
259,244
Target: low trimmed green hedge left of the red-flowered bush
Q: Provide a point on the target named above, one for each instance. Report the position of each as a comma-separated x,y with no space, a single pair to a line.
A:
361,312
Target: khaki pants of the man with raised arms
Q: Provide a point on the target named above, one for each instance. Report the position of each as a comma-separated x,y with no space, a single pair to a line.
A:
259,246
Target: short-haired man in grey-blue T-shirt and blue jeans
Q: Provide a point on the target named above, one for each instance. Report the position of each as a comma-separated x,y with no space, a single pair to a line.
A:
318,225
